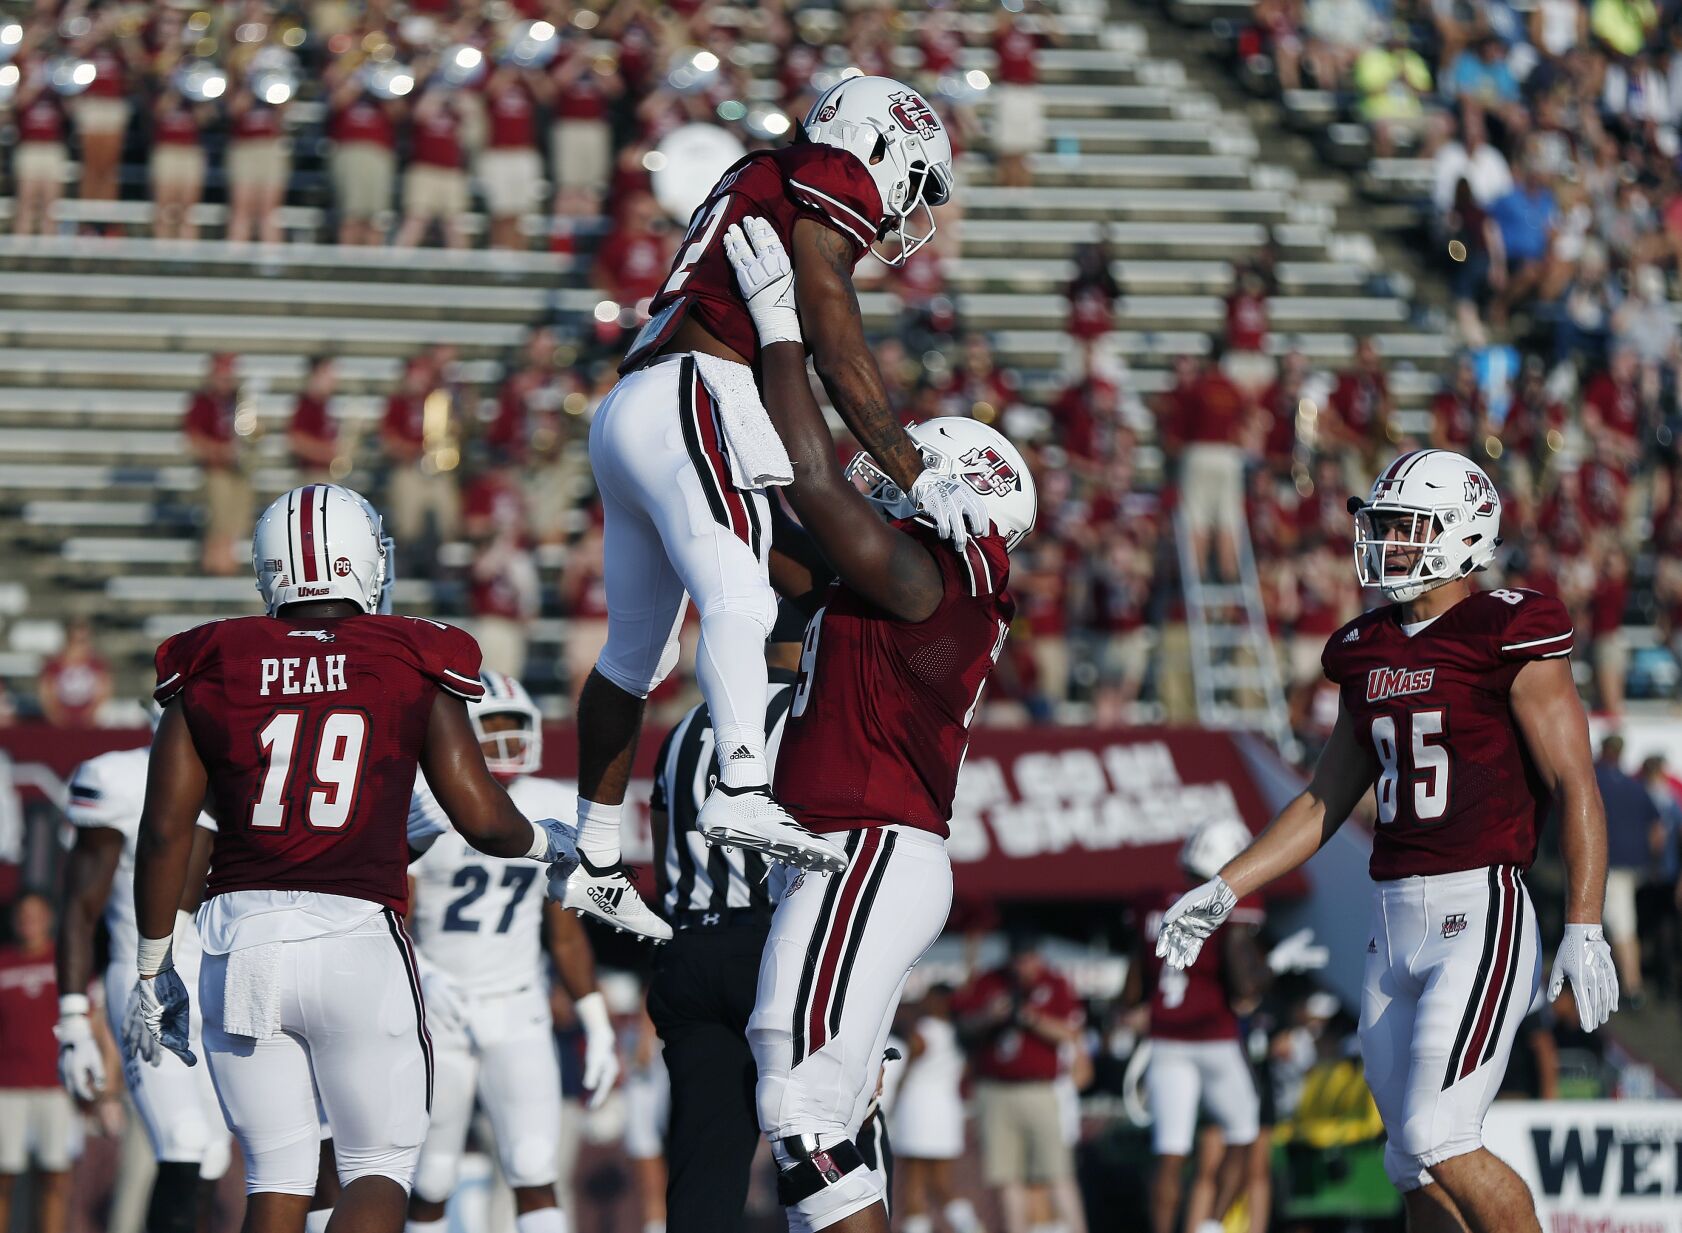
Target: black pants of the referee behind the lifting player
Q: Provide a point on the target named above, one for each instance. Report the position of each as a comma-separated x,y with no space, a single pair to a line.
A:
701,1002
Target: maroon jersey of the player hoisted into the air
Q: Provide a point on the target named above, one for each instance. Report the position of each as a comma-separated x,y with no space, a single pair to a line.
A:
803,181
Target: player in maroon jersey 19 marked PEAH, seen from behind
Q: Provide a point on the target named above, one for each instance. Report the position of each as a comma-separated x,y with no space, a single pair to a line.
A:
305,731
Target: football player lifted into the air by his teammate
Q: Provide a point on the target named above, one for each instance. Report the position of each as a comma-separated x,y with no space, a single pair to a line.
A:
685,457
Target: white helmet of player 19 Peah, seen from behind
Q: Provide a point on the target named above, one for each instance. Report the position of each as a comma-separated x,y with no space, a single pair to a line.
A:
319,542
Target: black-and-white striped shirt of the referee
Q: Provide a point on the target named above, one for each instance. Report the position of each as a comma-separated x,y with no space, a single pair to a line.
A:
690,876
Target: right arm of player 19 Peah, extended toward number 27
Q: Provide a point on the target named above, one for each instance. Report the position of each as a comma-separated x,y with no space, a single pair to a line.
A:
477,805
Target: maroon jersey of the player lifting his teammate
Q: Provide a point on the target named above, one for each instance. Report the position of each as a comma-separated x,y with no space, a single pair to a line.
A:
882,707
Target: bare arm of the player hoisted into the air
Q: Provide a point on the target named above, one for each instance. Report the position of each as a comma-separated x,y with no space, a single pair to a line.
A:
833,325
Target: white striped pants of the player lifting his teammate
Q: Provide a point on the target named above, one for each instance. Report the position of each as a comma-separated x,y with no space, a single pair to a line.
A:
830,982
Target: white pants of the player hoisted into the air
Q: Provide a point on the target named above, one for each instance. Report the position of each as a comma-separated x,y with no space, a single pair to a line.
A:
674,524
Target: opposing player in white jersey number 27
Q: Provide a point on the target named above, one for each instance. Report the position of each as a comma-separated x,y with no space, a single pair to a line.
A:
479,928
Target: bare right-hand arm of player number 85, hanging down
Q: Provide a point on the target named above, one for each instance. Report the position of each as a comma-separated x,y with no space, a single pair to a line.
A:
1550,717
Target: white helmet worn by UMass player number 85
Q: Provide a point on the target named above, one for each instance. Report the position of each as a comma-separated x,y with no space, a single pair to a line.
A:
1436,505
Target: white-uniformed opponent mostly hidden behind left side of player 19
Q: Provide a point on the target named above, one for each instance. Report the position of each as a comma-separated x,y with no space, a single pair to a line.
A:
176,1103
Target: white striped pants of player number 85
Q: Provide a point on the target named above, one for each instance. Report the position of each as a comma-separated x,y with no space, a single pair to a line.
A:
1452,970
